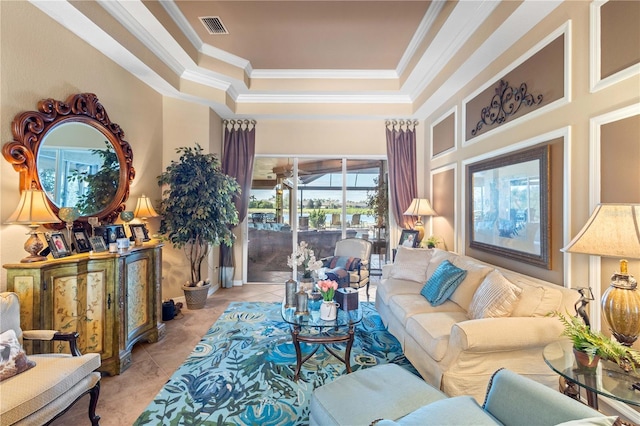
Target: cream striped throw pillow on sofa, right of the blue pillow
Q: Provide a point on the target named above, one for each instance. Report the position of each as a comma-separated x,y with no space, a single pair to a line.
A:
496,297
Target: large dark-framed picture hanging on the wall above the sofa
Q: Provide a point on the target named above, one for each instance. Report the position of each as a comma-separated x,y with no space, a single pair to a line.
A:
508,206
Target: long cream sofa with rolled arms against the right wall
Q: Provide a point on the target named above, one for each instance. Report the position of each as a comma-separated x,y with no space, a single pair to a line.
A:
455,353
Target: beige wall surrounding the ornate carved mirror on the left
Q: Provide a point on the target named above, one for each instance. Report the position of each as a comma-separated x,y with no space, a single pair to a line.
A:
34,67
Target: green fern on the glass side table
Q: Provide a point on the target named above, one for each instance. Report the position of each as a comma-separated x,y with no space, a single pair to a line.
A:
595,344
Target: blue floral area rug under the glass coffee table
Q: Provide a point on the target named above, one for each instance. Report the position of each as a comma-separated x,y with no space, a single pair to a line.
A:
241,372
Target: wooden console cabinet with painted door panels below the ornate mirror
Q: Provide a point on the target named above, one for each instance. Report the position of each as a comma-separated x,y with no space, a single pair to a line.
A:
113,300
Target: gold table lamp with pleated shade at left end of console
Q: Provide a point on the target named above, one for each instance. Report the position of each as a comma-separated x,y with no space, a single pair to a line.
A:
33,210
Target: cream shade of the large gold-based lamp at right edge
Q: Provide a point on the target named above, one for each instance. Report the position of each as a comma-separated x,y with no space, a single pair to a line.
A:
613,230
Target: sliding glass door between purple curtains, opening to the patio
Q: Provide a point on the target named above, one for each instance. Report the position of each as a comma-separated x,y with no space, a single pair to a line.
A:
316,200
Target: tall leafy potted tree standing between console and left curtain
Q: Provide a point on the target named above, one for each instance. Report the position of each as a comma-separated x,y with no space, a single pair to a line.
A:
198,212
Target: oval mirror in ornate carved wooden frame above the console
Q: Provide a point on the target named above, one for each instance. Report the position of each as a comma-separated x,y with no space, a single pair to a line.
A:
72,151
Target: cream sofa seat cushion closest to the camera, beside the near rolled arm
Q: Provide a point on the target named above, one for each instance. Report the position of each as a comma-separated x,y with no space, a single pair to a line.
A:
432,330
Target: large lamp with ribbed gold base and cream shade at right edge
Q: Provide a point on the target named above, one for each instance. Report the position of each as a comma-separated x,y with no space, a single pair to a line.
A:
613,230
